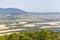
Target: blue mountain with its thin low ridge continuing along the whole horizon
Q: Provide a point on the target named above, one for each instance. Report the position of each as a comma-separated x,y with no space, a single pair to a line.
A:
19,11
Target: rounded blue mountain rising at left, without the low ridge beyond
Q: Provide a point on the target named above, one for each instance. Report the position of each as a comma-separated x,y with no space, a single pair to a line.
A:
12,11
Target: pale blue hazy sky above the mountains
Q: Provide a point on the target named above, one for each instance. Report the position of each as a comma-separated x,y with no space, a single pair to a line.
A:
32,5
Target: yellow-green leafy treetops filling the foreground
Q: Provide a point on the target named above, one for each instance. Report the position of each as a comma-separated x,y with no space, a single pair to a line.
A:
35,35
